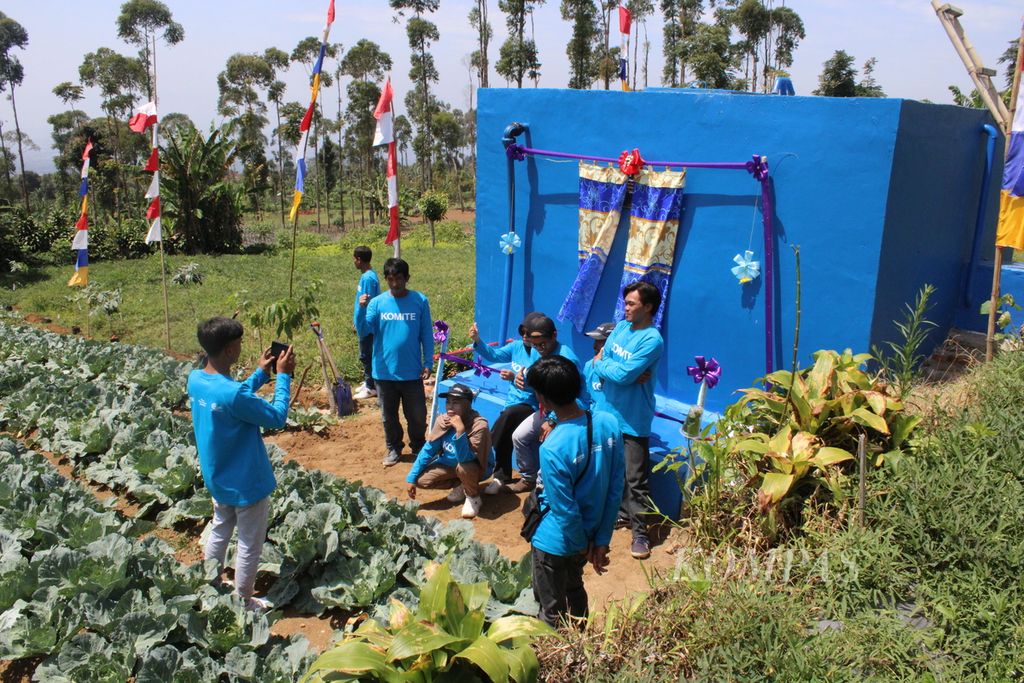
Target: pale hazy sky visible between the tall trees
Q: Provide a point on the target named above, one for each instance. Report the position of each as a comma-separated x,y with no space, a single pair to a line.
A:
916,60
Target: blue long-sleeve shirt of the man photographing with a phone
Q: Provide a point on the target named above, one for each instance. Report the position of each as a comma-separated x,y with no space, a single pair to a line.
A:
227,418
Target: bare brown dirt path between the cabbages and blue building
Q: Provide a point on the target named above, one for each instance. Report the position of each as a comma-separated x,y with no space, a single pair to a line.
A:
354,450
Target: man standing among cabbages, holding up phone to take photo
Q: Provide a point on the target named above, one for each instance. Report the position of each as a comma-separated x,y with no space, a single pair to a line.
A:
227,419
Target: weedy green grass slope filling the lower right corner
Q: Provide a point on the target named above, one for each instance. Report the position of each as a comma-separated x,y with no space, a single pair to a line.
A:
929,590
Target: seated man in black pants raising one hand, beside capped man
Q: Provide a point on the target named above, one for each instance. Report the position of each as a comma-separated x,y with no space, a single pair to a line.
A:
520,402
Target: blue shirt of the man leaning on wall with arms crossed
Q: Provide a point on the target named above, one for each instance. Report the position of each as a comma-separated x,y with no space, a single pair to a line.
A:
628,354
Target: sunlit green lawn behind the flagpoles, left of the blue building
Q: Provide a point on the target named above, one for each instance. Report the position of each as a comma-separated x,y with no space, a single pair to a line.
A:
446,274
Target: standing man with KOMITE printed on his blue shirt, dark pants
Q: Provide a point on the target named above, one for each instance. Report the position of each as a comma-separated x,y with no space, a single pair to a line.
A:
404,347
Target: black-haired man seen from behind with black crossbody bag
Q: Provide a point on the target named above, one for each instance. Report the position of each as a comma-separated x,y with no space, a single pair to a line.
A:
582,460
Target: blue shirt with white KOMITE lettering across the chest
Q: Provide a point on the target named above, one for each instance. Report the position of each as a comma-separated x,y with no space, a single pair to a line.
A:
404,338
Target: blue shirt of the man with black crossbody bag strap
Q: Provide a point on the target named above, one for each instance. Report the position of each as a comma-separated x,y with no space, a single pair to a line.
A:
584,514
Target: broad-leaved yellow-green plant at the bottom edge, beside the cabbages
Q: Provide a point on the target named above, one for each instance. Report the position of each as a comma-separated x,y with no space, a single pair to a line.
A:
444,641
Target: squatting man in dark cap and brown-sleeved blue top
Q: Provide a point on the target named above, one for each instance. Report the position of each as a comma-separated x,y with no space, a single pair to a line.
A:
458,450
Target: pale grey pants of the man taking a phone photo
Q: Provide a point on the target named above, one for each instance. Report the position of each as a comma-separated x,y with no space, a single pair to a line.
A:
251,522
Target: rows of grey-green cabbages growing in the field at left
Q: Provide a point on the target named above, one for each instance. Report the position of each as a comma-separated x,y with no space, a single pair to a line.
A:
79,586
